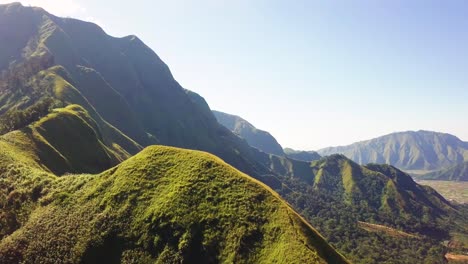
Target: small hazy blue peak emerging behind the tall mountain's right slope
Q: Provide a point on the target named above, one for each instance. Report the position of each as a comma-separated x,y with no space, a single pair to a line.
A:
256,138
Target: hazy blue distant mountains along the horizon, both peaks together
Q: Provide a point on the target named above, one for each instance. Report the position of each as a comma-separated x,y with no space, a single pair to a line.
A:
414,151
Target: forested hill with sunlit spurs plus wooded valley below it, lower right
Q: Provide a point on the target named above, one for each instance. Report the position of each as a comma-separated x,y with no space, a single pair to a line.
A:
336,212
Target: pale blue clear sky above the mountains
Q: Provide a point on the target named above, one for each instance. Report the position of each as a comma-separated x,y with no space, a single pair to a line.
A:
313,73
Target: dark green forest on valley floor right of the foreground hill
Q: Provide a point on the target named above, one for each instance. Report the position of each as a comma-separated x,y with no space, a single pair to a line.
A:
338,222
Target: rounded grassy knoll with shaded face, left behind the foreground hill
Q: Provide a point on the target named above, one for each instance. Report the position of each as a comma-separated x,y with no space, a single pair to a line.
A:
67,140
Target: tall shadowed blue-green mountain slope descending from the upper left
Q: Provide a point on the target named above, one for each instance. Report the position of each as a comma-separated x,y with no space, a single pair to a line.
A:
124,82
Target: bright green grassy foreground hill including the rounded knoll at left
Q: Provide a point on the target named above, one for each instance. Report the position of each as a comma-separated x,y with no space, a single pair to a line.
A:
162,205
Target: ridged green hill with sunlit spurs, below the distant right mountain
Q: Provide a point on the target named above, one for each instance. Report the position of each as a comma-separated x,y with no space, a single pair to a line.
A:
393,191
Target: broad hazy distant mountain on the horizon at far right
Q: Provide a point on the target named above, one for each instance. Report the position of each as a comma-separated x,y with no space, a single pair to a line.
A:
411,150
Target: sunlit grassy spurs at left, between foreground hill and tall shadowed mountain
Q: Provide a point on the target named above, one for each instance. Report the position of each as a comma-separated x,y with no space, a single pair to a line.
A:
52,140
